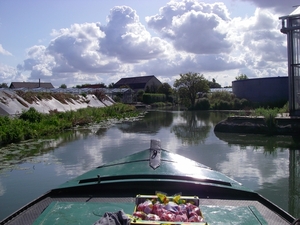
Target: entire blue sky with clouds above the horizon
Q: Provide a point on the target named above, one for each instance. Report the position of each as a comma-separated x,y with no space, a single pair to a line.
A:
75,42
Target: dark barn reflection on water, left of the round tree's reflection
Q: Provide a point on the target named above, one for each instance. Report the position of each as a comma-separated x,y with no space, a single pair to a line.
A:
151,123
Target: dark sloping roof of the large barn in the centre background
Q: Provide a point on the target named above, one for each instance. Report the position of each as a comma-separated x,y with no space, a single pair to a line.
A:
134,82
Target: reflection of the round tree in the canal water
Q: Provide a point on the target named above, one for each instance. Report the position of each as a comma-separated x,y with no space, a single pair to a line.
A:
194,129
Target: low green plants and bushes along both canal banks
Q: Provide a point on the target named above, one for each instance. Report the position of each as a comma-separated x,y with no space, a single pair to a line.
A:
33,125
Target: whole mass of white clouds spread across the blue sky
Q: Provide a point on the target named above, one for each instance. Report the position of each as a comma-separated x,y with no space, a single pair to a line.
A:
192,37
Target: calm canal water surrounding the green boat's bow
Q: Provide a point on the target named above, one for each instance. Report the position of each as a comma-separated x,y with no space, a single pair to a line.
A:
268,165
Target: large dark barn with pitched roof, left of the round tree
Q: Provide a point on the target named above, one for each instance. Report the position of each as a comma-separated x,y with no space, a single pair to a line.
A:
146,83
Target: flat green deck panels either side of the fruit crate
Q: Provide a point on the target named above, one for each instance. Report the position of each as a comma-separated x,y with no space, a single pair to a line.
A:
89,213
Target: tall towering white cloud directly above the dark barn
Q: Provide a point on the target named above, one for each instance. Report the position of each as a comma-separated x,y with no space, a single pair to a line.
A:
127,39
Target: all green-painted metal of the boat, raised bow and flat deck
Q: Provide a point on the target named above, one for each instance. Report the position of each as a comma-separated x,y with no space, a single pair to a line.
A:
136,168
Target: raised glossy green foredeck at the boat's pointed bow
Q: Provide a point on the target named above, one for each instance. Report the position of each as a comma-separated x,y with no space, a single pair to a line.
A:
138,165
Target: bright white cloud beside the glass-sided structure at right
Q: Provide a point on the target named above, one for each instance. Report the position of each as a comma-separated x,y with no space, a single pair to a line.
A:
261,44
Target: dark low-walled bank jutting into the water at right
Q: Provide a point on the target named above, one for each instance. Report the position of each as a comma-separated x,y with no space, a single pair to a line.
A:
281,125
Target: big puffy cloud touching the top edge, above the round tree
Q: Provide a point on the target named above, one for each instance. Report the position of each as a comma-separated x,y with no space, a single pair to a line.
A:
193,26
